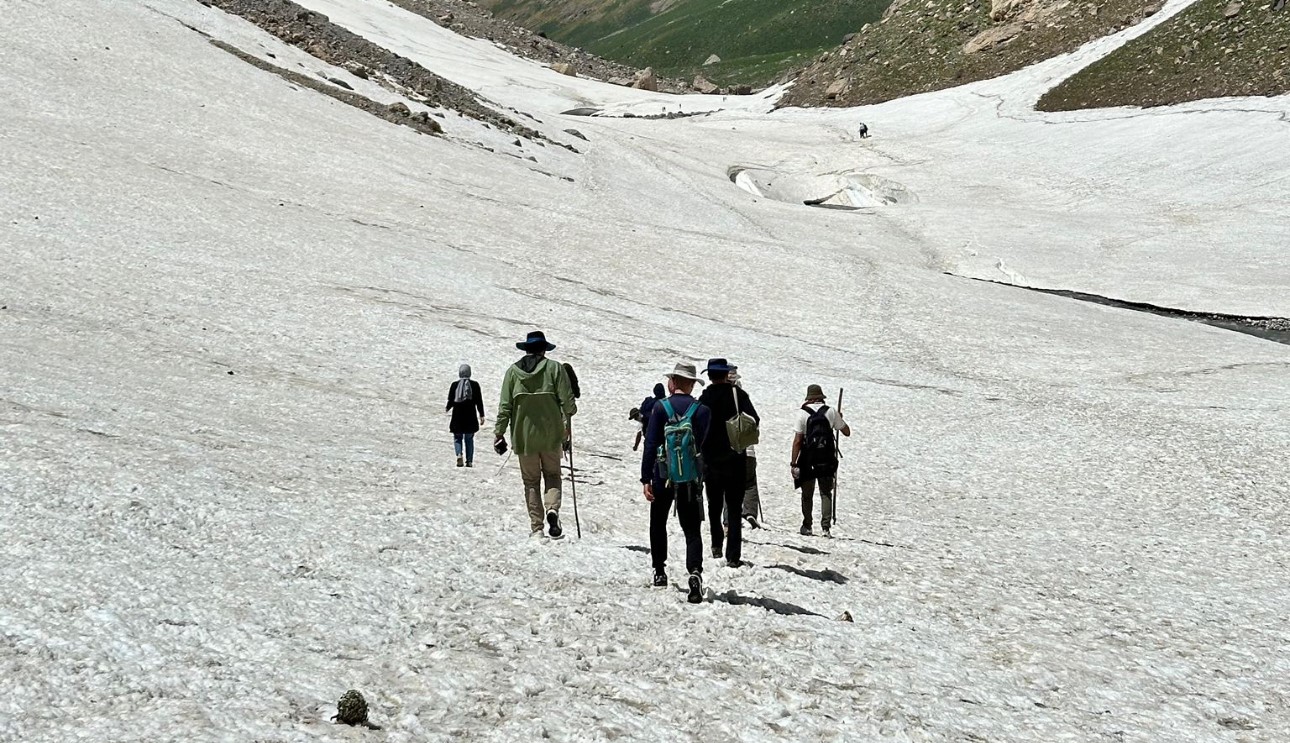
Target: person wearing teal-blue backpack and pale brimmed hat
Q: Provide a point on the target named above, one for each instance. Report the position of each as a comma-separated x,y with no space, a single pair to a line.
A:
671,473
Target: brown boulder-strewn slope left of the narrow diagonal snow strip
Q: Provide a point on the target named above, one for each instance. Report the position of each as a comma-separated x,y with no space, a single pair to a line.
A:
928,46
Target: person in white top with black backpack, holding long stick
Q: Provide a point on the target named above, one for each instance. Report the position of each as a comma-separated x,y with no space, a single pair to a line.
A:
816,456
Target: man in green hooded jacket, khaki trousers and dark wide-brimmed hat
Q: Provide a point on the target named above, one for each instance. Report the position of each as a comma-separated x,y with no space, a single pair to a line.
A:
537,403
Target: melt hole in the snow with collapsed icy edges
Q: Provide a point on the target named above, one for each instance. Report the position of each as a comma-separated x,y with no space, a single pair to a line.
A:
846,190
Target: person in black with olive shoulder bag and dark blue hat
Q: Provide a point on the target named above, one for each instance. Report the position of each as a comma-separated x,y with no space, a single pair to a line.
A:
726,465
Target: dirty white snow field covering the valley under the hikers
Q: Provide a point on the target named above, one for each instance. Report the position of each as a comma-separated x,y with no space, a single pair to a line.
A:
1058,522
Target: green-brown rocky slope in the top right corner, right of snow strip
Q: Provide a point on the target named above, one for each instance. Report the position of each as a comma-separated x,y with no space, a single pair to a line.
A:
1216,48
